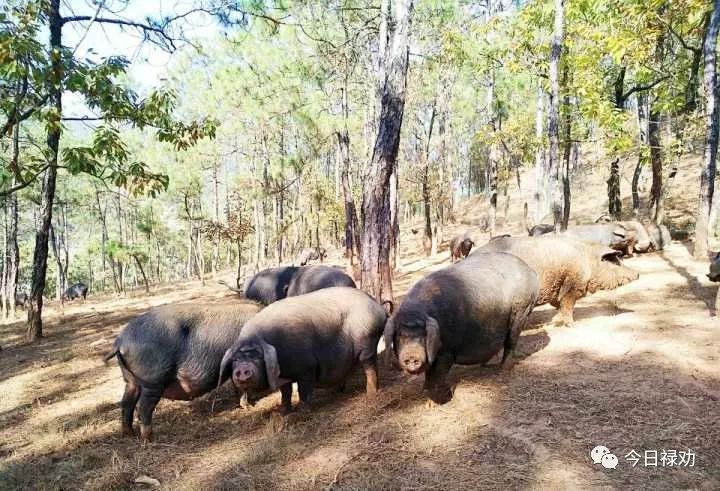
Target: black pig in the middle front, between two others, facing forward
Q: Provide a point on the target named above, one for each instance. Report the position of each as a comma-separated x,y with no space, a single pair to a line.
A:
314,339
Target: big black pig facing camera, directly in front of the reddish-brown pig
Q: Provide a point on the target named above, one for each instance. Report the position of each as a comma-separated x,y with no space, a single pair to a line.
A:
464,313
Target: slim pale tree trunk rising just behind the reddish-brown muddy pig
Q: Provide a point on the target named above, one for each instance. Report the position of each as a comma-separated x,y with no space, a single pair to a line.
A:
553,168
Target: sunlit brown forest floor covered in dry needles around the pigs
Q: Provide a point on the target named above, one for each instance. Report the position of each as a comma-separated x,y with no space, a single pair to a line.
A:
640,370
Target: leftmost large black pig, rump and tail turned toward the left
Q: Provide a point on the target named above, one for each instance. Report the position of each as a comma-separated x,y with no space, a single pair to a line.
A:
174,351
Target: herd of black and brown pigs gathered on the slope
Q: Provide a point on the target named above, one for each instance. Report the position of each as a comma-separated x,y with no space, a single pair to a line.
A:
311,326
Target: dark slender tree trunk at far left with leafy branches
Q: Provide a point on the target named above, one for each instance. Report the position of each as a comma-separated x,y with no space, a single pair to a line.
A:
35,303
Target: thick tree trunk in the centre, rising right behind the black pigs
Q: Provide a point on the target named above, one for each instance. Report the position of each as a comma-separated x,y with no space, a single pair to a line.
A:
376,276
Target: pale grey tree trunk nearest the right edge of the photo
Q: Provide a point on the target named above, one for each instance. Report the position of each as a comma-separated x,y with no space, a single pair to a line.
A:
707,176
